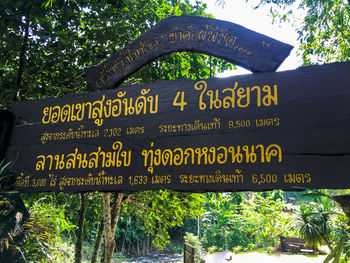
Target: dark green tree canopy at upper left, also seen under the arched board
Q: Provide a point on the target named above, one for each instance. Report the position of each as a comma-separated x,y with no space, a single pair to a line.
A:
45,45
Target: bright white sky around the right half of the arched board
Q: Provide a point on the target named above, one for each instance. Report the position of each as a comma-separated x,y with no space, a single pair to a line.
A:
259,20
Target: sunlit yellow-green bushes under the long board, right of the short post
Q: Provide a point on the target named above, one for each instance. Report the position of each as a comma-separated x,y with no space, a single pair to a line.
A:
245,221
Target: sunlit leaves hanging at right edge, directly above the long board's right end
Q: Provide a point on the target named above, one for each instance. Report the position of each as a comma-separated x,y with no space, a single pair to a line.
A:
327,31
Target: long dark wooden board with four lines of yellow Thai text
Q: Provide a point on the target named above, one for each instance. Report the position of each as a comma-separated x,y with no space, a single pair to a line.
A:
251,132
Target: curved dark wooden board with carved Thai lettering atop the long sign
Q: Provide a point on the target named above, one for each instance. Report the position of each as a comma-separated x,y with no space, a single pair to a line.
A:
221,39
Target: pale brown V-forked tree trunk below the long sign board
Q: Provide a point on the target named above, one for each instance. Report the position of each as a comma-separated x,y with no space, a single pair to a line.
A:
111,217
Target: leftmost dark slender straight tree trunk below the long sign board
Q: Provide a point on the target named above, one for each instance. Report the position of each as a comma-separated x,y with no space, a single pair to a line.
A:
80,229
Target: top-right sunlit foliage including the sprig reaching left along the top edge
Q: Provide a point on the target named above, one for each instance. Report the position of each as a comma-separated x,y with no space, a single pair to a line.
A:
325,32
